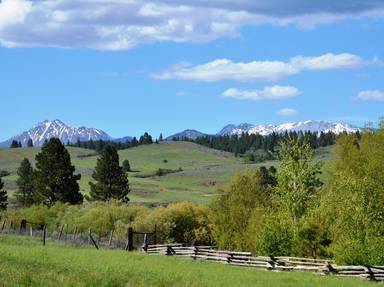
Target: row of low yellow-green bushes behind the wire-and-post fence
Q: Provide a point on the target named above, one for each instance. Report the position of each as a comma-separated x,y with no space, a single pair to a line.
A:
179,222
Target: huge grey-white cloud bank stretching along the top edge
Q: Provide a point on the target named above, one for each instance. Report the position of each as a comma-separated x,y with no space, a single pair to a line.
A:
123,24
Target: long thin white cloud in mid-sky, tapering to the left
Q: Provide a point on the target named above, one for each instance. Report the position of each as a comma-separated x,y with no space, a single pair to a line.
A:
224,69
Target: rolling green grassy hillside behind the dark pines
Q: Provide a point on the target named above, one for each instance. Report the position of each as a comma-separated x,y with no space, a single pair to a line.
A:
204,170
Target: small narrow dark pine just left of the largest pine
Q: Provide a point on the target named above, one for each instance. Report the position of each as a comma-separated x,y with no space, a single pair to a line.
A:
25,194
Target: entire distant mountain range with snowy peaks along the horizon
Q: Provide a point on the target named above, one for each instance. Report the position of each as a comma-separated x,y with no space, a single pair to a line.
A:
56,128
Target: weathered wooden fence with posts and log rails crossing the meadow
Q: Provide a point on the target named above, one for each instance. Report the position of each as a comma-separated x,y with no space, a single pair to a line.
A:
209,253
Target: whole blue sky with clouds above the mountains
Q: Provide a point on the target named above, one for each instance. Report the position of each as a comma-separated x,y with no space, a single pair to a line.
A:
278,67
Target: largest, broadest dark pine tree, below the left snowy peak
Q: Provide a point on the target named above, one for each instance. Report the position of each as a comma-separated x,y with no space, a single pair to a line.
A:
54,176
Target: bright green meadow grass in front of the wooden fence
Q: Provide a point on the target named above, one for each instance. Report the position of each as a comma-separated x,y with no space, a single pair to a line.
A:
24,262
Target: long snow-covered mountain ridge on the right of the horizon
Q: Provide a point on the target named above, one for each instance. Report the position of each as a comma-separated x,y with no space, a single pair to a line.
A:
313,126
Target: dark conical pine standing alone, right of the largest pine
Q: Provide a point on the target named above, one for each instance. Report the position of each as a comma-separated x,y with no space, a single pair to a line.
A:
111,181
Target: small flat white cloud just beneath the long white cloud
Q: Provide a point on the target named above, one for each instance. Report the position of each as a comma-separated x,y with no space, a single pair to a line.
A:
268,93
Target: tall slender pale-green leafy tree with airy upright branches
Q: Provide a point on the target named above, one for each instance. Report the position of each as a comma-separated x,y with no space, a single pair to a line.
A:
297,178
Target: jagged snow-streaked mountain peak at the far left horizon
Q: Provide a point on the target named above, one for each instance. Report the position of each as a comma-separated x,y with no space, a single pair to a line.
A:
57,129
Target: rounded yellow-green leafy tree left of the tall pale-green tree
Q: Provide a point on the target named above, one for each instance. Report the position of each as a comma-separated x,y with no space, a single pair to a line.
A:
238,213
